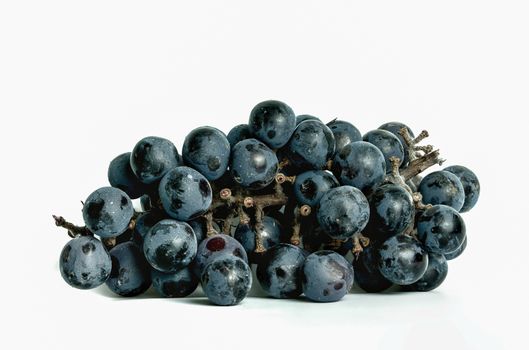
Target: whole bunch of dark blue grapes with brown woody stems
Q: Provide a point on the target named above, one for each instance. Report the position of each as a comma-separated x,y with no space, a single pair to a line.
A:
315,206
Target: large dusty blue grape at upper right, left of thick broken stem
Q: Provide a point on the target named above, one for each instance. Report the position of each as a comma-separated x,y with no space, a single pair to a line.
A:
360,164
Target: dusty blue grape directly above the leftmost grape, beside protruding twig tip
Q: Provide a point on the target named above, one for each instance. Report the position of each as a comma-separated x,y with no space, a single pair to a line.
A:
107,212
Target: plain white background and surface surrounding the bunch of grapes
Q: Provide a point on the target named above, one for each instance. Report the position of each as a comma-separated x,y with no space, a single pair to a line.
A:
81,82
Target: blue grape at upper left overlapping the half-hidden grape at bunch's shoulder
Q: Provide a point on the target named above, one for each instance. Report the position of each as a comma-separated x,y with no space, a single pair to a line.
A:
152,158
